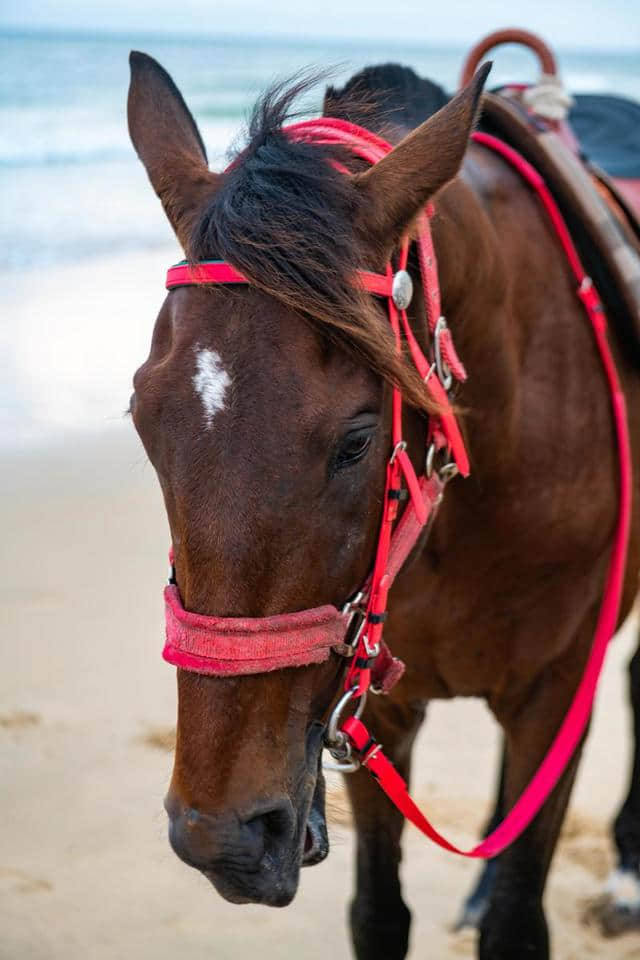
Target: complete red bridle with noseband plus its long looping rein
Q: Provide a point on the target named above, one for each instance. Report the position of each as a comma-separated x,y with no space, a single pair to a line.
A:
226,646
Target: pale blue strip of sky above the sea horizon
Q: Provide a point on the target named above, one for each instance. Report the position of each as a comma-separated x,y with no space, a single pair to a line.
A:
581,24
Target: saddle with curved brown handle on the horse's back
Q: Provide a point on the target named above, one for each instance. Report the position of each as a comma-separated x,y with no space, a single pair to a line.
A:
599,209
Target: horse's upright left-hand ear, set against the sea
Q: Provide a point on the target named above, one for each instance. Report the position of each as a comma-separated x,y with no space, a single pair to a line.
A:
169,144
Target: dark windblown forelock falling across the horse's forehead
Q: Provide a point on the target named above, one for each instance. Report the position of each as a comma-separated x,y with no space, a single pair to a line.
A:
287,219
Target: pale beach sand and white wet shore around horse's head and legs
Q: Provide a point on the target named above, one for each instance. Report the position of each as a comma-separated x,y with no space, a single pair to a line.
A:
87,709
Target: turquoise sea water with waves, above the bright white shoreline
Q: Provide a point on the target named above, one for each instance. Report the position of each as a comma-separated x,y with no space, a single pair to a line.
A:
70,185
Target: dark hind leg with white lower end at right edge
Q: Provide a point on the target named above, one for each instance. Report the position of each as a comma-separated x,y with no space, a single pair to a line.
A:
621,910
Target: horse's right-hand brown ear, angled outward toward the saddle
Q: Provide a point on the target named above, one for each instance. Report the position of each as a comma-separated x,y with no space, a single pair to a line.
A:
399,185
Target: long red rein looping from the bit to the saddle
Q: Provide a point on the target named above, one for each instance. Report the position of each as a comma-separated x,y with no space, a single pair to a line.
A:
575,722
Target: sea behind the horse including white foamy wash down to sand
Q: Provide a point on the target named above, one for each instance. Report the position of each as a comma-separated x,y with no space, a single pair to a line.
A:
83,240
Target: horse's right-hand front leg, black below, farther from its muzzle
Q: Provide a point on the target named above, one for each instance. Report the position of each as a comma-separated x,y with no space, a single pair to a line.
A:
514,926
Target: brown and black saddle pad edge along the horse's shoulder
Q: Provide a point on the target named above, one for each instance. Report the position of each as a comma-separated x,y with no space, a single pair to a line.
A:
608,248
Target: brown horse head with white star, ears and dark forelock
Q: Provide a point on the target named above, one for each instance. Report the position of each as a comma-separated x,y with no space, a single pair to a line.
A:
265,412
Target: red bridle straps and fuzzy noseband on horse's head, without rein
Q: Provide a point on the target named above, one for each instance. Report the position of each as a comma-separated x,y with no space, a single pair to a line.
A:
231,646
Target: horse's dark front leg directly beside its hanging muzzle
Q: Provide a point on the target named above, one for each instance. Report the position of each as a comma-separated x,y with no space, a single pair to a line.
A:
380,919
